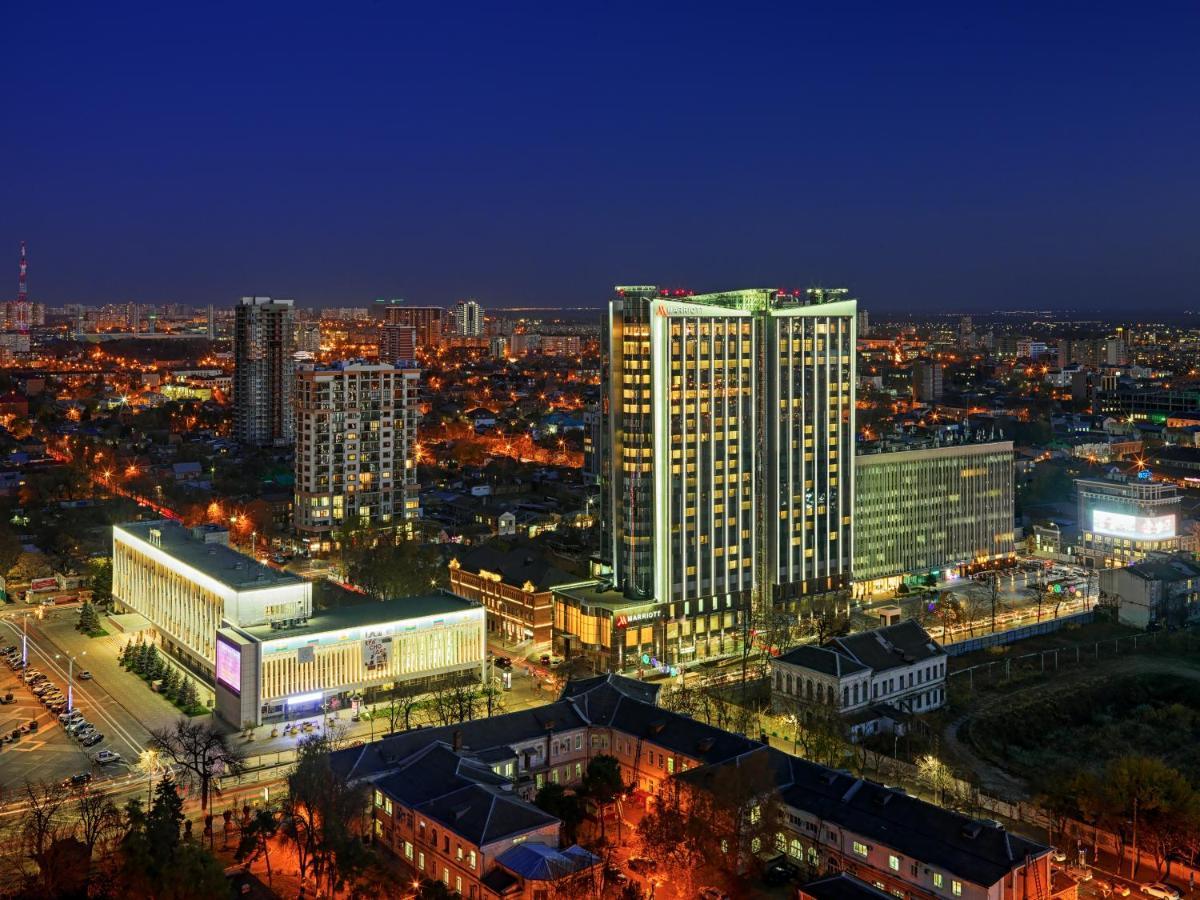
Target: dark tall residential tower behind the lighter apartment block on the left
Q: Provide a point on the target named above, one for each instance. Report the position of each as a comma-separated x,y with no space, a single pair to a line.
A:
263,347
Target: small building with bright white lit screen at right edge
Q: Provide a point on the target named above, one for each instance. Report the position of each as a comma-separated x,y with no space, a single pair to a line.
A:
1123,519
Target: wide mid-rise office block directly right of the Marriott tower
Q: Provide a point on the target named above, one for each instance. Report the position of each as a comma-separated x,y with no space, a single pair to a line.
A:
929,511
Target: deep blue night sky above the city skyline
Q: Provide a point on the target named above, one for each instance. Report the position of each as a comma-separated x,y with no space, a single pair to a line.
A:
956,158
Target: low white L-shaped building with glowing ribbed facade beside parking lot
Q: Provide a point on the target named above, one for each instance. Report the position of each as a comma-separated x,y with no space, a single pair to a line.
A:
251,632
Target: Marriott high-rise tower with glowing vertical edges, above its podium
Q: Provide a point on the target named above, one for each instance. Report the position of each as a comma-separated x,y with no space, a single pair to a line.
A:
730,430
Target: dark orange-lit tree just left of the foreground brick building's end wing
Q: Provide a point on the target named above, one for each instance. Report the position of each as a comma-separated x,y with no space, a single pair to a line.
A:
323,815
